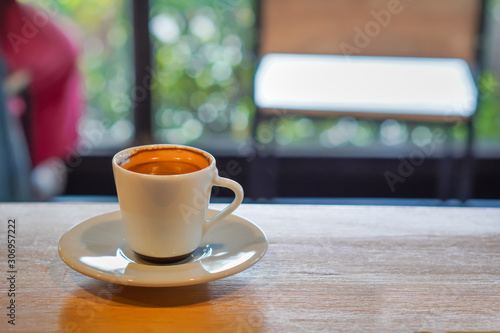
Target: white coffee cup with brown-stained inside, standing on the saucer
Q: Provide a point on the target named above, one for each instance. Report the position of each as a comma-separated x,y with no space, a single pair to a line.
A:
164,215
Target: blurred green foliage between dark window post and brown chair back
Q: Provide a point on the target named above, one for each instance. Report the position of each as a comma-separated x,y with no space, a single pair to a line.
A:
204,53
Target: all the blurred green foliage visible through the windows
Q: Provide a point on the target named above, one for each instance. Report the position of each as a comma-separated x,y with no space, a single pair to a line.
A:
204,62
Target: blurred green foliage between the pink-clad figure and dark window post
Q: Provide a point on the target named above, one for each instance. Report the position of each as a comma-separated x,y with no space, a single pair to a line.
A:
102,30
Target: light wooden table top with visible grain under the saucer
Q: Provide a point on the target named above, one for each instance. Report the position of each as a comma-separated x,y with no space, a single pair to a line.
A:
328,268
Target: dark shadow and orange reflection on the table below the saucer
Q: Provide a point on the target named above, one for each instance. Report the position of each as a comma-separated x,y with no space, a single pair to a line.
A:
96,306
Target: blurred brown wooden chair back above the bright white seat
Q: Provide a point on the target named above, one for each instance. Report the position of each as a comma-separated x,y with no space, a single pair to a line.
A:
424,28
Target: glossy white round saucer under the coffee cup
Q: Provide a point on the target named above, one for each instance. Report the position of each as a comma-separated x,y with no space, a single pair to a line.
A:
97,248
